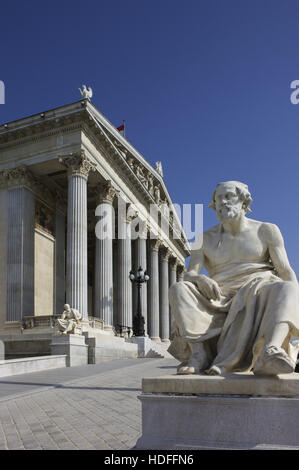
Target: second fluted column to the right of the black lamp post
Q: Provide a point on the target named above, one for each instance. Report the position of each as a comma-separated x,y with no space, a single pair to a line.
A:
164,286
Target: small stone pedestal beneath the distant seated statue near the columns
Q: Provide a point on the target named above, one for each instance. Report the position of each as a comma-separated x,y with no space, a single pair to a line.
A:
73,346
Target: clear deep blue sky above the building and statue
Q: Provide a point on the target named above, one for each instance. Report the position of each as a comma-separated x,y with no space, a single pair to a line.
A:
204,86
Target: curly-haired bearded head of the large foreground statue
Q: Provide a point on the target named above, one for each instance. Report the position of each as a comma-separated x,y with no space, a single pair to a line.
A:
230,199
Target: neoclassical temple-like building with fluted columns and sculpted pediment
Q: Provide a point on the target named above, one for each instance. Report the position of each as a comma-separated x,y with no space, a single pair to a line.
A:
80,207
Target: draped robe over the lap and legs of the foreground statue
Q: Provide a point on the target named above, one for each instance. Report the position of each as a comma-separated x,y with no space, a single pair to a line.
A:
254,300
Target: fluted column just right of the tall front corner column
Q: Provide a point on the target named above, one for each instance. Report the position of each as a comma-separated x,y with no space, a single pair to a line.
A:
104,255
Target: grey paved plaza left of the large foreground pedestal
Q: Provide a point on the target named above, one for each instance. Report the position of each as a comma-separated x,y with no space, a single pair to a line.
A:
89,407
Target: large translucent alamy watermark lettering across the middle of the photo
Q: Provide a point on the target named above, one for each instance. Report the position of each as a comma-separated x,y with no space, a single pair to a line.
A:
166,222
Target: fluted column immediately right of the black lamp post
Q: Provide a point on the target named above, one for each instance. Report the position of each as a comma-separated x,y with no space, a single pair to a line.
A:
153,312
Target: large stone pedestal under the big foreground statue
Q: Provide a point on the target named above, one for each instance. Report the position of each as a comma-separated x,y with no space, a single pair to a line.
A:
237,411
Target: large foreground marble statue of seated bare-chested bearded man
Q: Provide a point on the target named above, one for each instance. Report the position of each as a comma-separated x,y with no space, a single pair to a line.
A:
242,317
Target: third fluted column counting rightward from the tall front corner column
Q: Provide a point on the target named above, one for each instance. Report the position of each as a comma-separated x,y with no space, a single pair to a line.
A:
124,252
